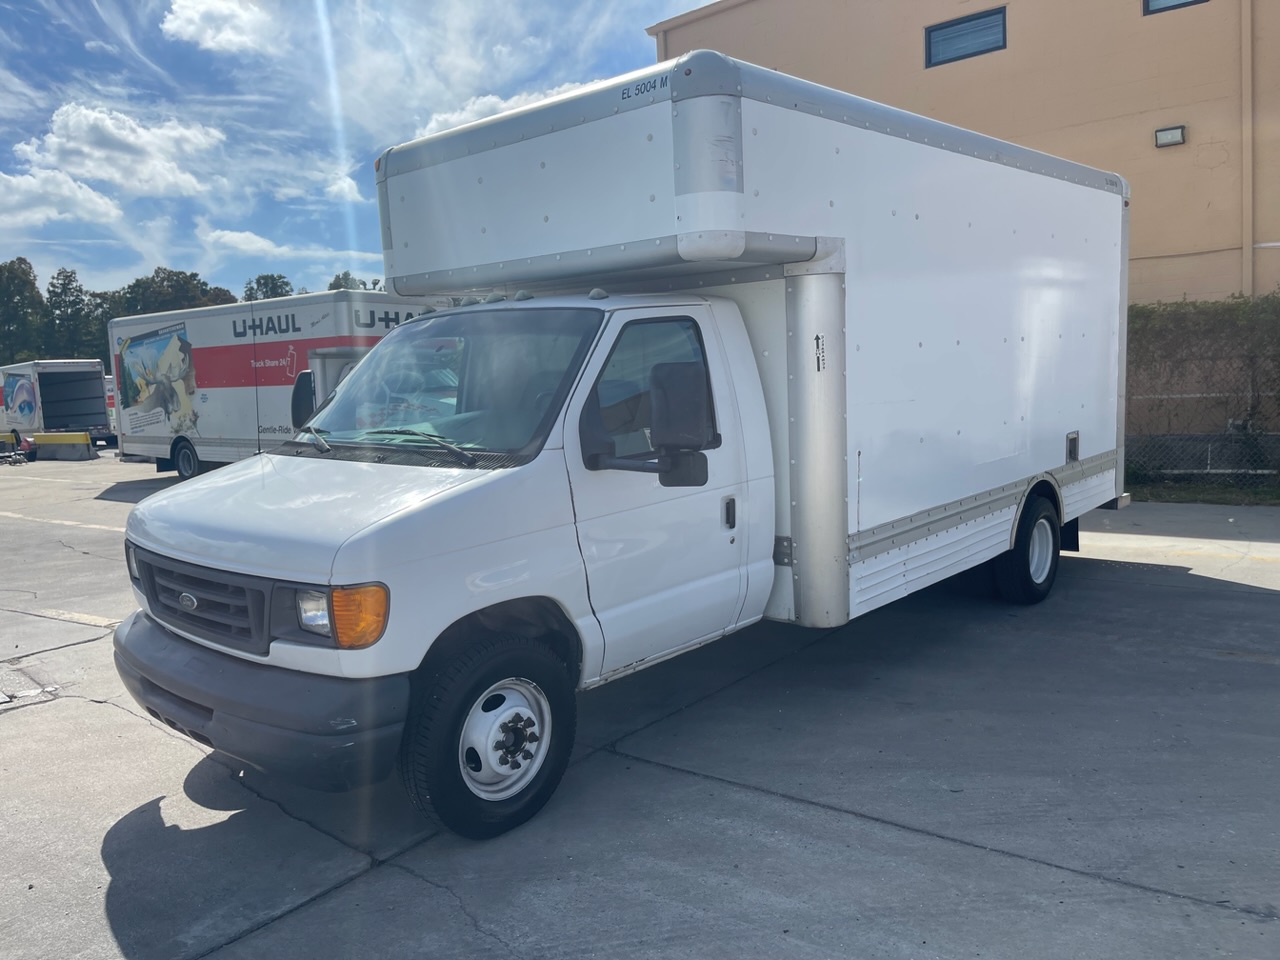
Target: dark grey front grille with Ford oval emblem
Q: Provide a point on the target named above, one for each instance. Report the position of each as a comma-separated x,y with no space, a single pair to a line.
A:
217,606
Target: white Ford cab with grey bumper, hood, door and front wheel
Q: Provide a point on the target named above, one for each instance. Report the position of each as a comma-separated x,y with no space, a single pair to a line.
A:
583,483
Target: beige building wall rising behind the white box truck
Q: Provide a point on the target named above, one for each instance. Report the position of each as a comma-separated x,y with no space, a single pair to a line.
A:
1086,80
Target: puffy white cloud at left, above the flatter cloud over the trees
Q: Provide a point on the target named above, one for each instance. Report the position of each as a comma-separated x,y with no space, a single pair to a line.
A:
97,144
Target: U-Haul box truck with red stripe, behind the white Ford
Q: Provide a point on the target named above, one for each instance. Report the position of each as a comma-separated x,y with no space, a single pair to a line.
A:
212,386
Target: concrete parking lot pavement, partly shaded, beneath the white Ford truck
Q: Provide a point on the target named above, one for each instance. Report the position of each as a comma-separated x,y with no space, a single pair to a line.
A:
1096,776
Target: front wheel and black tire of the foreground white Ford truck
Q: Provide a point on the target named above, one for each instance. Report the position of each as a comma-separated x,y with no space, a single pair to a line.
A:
490,737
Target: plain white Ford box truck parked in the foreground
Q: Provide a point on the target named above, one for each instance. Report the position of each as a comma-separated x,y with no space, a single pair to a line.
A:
748,349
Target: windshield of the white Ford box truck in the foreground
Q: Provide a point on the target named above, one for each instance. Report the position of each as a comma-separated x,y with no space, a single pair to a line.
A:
482,382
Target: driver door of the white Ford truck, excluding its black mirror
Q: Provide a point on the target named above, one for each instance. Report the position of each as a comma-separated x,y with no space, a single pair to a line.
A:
665,565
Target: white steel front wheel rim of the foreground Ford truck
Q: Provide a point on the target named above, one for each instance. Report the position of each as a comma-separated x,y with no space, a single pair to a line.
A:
505,739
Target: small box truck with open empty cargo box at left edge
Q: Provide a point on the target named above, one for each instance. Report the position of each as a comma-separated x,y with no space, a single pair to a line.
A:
53,396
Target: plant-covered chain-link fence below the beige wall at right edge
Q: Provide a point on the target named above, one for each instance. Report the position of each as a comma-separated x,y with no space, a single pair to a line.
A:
1204,394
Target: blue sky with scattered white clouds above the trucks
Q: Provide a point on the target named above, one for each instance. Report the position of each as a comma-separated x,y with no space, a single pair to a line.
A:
237,138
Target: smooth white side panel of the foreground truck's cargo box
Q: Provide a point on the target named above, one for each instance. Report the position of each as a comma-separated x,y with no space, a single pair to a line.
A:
982,308
